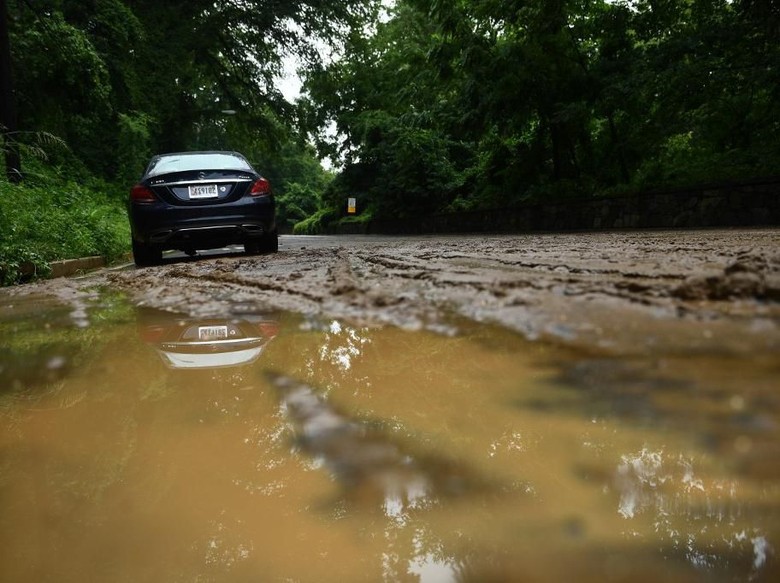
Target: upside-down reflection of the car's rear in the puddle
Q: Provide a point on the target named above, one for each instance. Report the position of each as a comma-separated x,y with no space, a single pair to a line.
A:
192,343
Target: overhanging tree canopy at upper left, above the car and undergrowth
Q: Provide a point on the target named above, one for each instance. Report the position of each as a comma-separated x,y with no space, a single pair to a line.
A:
118,81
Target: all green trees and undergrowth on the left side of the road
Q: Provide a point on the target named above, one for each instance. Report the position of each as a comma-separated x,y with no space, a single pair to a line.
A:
118,81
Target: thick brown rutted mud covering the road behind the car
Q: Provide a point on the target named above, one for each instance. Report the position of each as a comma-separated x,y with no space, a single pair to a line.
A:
616,292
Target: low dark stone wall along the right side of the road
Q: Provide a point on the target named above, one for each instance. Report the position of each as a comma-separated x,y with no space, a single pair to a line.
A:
745,204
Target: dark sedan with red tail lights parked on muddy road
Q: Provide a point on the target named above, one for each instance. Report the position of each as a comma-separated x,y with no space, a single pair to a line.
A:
201,200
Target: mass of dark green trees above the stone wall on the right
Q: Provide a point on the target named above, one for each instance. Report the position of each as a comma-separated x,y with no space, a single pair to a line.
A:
456,105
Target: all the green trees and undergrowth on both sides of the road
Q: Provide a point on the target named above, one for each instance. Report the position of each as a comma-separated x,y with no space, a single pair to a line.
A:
422,106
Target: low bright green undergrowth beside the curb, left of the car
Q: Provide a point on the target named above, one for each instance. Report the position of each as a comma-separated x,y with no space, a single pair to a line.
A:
57,220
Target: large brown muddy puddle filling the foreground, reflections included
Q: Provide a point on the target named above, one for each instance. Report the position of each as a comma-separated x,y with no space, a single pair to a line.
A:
144,446
